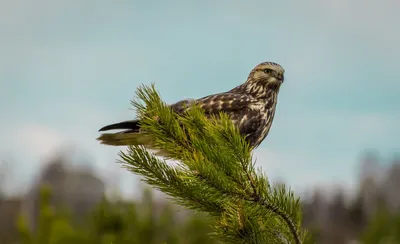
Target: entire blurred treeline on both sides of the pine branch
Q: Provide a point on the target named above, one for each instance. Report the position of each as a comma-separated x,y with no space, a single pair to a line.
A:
70,206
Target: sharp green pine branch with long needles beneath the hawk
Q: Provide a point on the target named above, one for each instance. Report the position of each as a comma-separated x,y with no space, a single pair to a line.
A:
216,174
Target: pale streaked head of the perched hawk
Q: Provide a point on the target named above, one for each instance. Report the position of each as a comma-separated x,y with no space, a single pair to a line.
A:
267,74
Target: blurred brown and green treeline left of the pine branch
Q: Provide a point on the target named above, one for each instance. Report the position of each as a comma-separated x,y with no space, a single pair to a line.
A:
68,205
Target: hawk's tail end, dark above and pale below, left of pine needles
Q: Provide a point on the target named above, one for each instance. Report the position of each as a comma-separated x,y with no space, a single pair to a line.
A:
130,135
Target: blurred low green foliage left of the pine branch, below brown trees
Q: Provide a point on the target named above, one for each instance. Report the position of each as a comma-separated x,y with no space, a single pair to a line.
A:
114,222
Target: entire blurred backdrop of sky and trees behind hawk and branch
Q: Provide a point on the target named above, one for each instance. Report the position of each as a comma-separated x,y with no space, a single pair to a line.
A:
68,68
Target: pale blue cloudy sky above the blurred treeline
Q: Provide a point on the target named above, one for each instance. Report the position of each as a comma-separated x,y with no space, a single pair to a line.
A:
69,67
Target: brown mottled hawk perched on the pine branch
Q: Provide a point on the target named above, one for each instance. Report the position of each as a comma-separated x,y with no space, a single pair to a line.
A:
250,106
